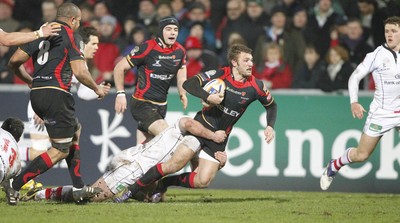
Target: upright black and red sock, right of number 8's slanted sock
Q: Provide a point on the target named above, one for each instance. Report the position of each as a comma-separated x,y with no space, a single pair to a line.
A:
74,166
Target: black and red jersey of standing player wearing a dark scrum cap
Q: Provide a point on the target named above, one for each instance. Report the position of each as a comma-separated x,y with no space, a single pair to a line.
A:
157,66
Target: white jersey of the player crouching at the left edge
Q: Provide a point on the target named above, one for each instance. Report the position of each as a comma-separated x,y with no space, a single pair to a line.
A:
9,156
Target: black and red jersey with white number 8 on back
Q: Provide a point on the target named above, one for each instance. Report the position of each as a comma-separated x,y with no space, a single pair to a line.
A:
51,58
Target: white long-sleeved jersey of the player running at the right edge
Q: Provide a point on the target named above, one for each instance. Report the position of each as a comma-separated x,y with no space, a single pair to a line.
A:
384,64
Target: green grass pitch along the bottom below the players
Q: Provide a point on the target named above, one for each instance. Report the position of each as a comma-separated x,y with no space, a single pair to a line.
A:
192,206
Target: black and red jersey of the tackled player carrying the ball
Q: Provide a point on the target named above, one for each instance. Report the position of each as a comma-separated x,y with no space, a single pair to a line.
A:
238,96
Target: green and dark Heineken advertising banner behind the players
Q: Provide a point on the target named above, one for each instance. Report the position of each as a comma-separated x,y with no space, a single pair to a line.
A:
311,129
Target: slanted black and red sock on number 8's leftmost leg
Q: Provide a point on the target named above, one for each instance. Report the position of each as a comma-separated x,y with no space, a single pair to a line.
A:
36,167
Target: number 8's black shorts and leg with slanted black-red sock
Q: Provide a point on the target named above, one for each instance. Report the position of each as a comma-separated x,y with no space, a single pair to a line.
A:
58,113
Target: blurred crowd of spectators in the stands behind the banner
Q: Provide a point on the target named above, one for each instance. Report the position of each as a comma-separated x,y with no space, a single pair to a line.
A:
296,43
